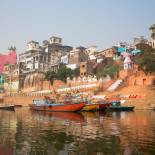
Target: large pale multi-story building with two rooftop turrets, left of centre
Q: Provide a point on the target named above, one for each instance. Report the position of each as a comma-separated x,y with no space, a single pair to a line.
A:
36,60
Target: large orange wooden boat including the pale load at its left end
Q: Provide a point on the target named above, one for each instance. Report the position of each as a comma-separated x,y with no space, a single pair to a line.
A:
46,105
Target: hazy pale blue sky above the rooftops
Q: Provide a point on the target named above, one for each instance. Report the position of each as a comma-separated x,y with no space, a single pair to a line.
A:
78,22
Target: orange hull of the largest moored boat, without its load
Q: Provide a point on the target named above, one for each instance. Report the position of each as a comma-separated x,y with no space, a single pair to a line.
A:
58,107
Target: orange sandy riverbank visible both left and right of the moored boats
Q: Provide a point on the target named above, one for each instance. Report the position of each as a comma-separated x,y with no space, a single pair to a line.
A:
146,100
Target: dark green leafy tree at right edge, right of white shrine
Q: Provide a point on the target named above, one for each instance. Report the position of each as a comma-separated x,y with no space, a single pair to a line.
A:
146,60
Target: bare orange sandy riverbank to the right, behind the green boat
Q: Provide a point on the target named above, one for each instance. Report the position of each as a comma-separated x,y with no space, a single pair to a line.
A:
146,99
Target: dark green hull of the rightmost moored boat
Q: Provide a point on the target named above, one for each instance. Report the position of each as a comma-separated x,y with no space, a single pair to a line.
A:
120,108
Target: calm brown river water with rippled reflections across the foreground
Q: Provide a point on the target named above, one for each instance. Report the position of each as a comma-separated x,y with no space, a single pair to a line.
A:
26,132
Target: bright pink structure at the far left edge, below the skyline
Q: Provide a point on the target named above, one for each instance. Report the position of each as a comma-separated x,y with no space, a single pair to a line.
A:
10,58
